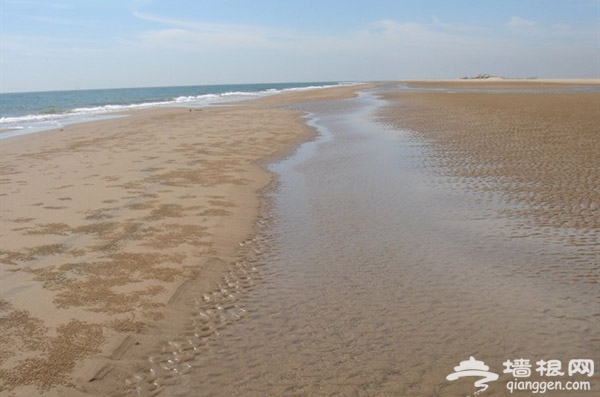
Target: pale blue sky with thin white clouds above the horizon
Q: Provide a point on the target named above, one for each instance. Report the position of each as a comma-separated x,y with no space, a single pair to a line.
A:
84,44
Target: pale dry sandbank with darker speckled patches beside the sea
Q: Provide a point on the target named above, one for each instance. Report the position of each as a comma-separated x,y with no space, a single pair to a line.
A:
109,230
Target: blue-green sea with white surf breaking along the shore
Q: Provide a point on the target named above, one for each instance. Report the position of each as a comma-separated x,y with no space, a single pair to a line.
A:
29,112
